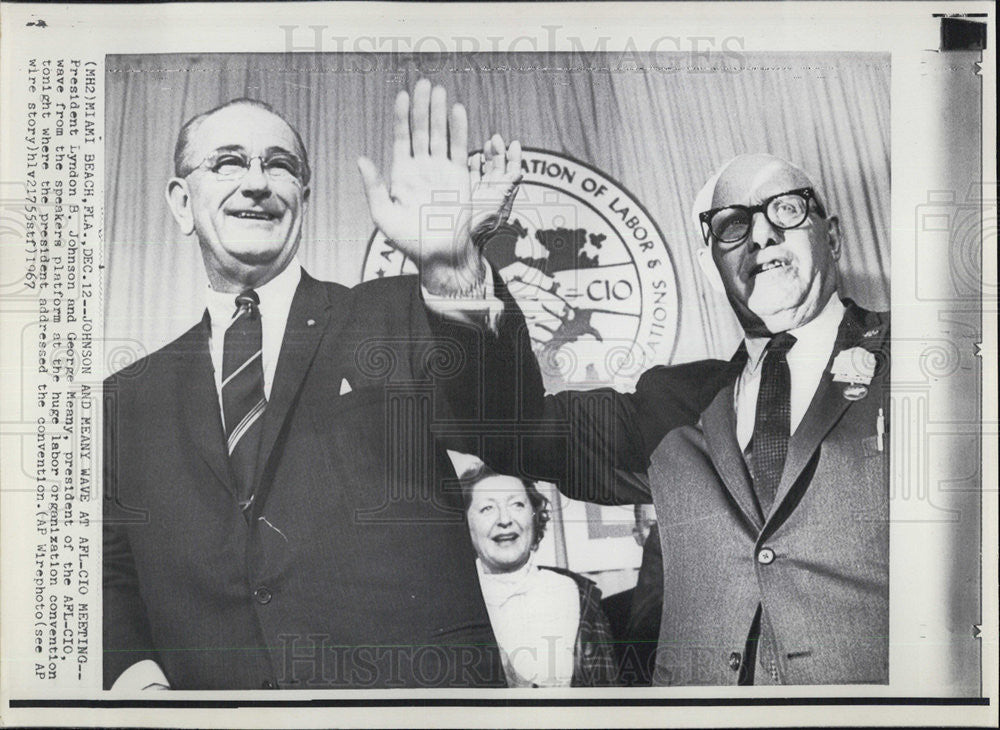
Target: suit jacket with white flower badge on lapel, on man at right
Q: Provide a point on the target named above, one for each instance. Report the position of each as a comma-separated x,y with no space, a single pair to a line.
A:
825,594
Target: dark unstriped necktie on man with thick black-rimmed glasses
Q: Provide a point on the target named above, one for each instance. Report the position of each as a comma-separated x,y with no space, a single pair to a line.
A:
772,423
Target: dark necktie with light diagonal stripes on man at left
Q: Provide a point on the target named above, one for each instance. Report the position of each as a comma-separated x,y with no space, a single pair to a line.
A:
243,399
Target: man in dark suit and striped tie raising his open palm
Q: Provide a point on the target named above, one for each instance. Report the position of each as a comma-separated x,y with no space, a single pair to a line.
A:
277,509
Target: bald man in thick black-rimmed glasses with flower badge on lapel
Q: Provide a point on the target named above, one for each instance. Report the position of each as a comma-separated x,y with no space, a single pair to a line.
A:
769,472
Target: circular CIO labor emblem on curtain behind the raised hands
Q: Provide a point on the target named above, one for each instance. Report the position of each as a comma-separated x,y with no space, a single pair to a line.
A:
587,265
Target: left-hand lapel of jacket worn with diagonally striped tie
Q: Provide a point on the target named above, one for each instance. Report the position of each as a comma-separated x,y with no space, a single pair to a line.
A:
200,400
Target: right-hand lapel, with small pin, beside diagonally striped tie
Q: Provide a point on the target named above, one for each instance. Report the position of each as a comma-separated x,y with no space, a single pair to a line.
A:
316,310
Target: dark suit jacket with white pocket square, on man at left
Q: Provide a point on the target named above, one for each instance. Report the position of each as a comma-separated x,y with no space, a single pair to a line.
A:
355,568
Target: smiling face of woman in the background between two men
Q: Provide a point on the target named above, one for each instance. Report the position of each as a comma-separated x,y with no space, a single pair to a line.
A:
501,523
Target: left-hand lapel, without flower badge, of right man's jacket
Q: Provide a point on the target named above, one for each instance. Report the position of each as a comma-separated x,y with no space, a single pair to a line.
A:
719,427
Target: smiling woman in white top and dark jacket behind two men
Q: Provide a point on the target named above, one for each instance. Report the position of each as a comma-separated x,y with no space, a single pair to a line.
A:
548,622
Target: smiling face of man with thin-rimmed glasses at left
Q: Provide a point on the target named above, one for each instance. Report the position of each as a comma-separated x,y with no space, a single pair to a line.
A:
248,228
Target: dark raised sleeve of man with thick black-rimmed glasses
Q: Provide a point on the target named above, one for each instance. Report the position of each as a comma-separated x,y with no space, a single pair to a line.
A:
595,445
